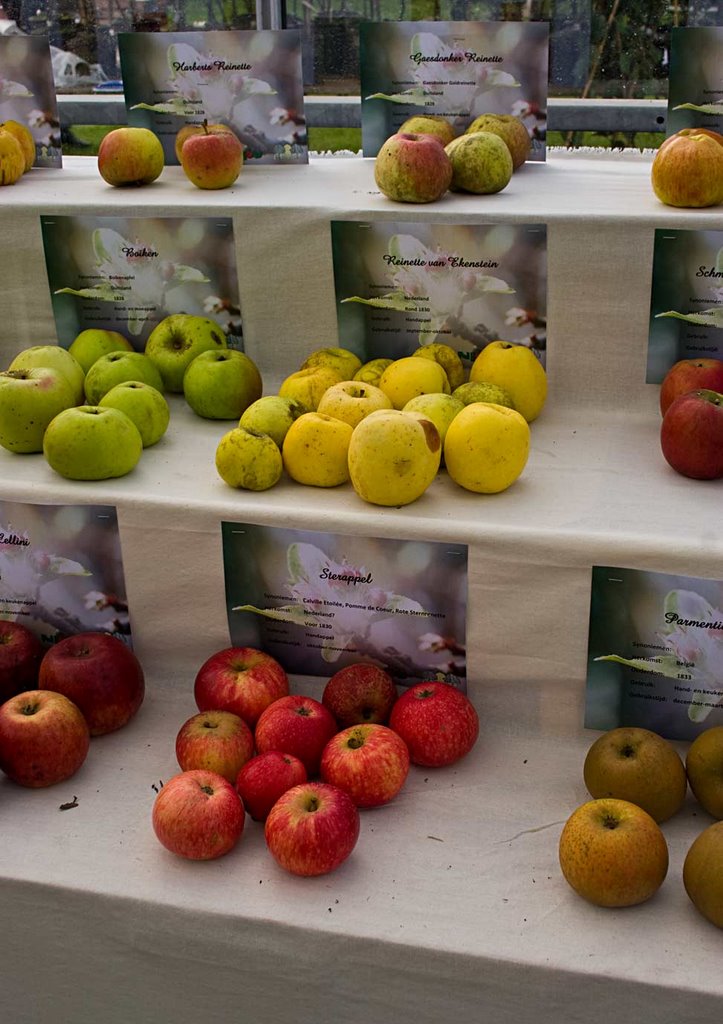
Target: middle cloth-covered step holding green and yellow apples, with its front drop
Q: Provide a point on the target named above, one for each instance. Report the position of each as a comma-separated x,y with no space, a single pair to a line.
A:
597,492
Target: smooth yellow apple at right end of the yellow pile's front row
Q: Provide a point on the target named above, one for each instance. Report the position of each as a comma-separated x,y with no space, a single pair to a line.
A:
487,448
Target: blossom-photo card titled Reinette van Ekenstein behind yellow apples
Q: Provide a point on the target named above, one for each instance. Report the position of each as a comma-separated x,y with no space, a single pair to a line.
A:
401,285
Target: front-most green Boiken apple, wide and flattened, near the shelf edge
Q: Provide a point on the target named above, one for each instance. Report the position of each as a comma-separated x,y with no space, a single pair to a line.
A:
91,443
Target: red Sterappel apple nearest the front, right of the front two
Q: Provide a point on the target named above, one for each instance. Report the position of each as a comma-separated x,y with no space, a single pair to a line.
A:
313,829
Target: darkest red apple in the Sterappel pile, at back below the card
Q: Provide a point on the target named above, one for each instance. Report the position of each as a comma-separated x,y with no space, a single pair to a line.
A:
360,693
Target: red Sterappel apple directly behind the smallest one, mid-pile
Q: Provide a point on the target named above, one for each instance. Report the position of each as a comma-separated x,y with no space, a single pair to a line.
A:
296,726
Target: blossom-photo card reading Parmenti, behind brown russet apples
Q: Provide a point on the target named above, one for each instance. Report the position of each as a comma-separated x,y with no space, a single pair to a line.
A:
655,653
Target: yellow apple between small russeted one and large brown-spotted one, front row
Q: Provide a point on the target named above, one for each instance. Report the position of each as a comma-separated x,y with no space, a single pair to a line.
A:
316,450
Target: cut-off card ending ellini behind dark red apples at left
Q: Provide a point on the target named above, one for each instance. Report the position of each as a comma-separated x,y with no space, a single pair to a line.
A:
62,571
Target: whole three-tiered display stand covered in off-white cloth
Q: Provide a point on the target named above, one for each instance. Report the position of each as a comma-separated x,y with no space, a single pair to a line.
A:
453,907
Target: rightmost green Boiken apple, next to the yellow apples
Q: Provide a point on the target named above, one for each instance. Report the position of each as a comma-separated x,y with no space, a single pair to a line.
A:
221,386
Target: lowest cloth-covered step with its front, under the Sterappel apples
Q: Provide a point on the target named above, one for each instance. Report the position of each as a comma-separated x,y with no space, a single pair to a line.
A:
451,908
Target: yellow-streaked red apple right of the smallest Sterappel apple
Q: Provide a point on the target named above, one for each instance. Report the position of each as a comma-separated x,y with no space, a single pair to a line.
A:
369,762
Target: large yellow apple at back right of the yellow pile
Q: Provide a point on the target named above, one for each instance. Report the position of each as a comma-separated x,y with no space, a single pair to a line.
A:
519,371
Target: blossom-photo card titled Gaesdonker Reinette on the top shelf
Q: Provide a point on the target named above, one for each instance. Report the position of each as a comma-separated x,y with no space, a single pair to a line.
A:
455,70
